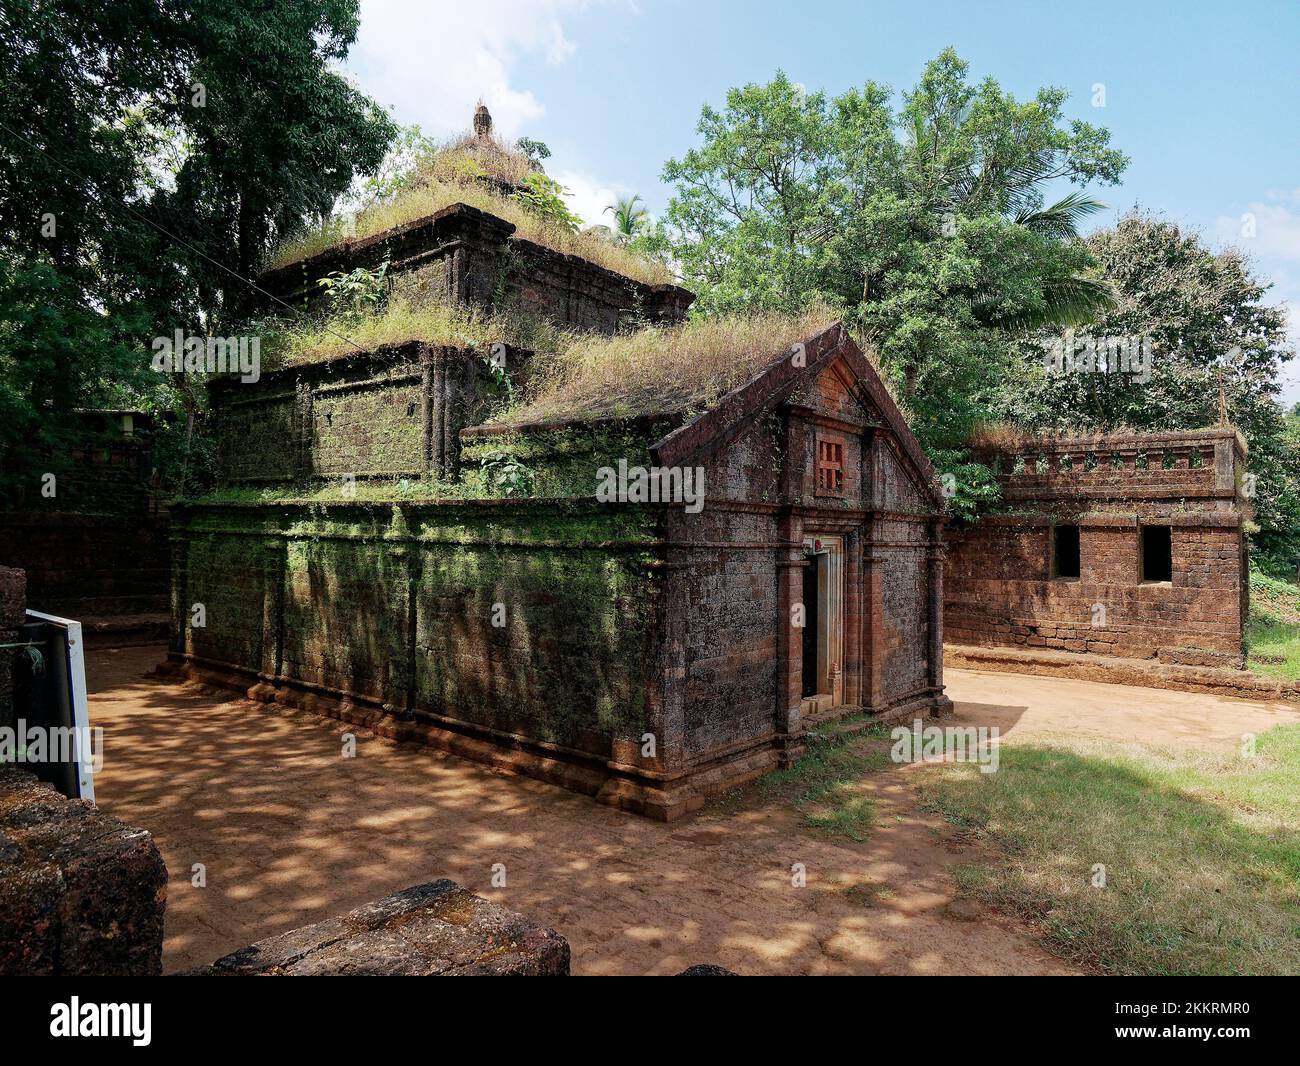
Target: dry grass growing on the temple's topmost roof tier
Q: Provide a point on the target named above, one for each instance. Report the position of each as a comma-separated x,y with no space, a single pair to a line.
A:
456,176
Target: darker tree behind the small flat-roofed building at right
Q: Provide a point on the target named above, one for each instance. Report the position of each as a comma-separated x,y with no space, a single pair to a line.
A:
1207,324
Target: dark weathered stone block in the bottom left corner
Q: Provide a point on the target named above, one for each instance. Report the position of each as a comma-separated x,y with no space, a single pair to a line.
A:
81,892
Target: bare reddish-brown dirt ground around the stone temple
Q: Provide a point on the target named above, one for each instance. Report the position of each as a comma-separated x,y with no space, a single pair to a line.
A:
289,831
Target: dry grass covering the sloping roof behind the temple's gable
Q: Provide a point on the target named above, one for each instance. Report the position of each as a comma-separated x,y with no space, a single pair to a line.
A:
657,370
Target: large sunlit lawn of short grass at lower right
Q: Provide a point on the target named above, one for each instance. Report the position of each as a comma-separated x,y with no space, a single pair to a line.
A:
1202,852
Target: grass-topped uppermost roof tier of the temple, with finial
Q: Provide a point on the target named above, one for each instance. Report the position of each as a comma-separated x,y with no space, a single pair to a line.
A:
469,224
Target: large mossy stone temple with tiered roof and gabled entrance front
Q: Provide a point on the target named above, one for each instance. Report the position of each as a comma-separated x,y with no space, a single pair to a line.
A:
474,590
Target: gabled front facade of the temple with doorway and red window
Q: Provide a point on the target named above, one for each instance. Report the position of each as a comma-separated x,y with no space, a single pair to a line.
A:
824,515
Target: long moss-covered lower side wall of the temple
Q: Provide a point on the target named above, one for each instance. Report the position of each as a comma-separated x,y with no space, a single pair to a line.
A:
538,618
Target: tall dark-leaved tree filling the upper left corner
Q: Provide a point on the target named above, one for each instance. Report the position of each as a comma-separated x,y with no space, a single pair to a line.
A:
151,153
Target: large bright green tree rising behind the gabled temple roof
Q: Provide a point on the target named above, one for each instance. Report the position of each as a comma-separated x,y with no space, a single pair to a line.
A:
925,223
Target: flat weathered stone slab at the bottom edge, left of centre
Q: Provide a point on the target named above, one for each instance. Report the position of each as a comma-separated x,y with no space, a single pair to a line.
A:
431,930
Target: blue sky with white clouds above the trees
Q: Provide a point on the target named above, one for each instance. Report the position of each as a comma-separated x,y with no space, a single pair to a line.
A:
1203,96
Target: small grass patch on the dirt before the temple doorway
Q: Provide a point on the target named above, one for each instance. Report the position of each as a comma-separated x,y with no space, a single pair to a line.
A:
826,783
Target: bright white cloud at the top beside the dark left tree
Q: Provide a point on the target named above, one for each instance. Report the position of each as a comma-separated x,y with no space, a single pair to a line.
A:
434,62
